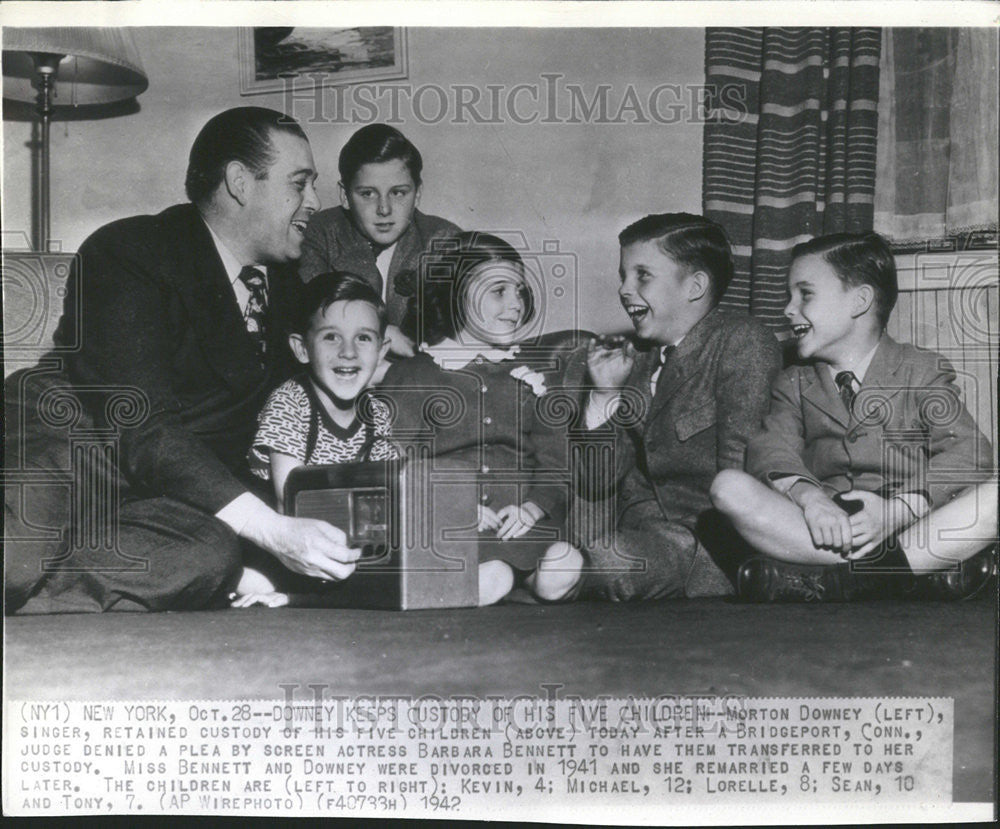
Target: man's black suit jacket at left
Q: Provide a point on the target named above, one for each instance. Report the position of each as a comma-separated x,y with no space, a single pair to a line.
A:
158,315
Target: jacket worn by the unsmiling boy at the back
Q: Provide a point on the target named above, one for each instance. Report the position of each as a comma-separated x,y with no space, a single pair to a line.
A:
333,242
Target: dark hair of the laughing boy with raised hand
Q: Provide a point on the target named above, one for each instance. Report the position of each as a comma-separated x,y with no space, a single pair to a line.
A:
693,241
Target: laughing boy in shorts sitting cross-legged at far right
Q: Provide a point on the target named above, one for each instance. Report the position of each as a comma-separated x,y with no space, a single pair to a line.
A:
867,453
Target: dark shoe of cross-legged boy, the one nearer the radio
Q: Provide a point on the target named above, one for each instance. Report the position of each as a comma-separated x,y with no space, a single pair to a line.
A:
762,579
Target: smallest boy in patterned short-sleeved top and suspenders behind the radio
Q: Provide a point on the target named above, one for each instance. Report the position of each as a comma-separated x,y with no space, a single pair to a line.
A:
321,416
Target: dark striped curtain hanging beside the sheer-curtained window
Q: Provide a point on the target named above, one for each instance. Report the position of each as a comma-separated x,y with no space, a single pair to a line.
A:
789,147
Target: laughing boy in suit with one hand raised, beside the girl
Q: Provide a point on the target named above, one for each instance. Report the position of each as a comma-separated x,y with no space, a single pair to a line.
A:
679,411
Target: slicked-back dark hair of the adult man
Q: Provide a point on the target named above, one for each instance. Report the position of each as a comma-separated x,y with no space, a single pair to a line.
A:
242,134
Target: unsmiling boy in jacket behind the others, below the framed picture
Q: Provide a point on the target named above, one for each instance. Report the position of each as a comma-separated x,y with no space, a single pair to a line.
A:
377,231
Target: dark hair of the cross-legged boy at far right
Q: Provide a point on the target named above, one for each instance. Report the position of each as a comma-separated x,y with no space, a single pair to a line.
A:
859,259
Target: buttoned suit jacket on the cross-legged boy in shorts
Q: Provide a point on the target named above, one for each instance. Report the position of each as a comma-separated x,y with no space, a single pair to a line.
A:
907,422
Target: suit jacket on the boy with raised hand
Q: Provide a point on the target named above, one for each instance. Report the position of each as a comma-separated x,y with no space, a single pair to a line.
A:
710,398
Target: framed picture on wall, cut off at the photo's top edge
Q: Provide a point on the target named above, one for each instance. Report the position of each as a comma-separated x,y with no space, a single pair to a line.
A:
271,56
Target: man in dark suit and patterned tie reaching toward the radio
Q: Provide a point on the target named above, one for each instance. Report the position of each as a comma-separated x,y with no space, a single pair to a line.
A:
181,315
